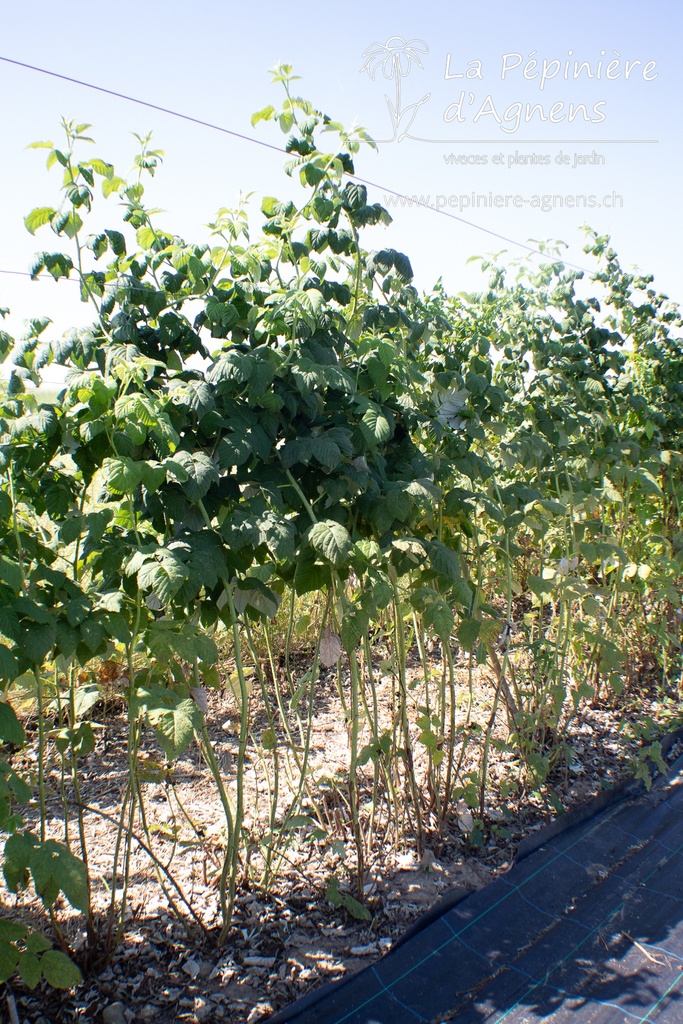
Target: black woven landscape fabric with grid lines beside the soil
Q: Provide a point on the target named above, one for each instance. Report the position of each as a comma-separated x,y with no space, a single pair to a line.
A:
587,928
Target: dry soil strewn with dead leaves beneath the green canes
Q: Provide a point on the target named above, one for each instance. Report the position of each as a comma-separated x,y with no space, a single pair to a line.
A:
290,940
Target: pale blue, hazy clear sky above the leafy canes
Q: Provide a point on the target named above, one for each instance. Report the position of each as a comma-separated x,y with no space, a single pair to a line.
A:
210,61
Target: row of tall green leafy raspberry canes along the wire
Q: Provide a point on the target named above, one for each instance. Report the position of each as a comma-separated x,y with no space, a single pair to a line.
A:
252,429
